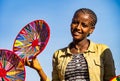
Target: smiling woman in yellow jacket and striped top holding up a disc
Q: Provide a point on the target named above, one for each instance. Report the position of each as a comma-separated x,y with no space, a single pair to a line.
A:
82,59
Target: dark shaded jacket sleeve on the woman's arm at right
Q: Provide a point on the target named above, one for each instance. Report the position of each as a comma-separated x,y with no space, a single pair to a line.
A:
109,67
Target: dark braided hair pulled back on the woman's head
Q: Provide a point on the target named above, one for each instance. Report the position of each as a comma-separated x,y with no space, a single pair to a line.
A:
87,11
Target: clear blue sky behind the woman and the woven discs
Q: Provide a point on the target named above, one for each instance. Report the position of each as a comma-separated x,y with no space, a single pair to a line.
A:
15,14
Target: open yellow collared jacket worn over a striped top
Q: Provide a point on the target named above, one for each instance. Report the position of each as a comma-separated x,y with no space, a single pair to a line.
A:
99,59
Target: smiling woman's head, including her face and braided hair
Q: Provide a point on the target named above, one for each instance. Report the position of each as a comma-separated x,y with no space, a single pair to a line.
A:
83,24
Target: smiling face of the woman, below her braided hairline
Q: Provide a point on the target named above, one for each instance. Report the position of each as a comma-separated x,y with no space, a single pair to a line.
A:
81,26
